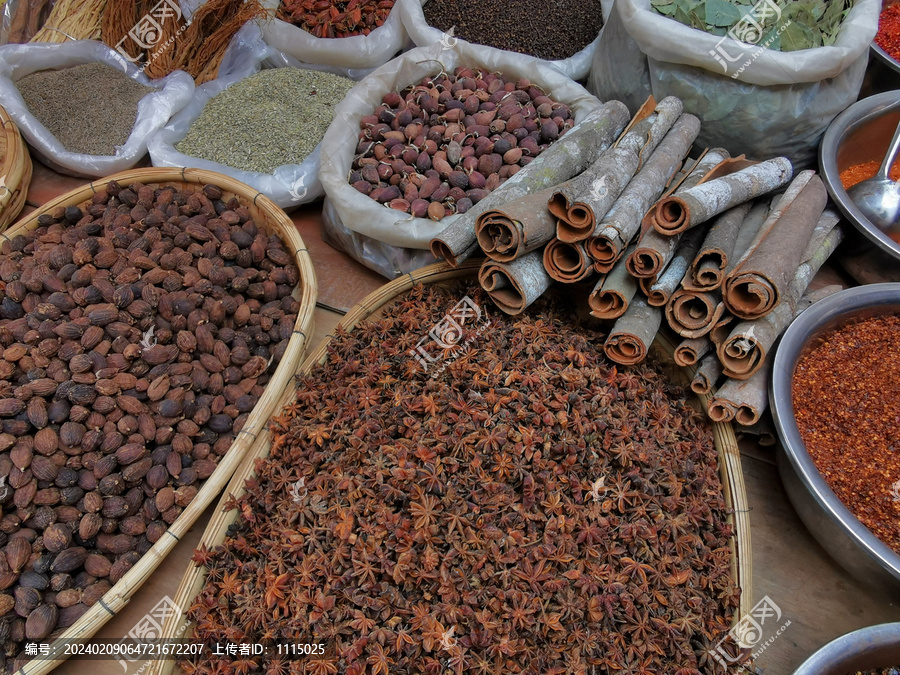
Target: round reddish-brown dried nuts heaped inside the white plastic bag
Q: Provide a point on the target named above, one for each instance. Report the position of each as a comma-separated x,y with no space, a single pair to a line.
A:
437,148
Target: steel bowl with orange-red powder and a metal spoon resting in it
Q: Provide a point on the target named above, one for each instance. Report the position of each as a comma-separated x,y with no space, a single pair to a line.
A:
860,134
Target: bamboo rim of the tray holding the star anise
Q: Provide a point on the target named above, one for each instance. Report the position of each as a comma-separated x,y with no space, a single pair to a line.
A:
732,478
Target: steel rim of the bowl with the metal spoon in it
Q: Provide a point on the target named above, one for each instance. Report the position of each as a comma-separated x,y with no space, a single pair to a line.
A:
851,119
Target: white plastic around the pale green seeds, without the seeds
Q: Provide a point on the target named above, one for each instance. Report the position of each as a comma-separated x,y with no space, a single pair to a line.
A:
289,185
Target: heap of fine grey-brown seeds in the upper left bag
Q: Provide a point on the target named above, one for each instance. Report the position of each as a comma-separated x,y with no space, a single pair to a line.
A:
89,108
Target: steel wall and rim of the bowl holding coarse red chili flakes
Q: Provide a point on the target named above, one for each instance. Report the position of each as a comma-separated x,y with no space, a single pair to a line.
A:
796,337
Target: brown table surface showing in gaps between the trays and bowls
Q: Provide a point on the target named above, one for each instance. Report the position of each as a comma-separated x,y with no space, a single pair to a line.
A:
818,598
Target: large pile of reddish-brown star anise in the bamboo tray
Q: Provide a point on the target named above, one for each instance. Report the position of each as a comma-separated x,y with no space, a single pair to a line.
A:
529,508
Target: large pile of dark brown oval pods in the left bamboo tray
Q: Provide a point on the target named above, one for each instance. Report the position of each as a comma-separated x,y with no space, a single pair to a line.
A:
137,332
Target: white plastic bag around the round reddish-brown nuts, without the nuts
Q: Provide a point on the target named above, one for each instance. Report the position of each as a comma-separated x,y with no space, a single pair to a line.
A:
350,211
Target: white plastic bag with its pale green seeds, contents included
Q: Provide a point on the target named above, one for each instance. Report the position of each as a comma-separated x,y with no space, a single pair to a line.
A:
259,122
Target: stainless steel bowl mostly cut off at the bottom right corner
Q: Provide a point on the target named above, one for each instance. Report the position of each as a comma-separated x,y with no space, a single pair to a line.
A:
864,649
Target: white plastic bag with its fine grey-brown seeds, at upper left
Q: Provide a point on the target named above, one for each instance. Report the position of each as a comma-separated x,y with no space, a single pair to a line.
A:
83,108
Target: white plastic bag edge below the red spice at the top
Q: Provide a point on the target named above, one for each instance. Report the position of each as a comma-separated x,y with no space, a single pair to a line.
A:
353,57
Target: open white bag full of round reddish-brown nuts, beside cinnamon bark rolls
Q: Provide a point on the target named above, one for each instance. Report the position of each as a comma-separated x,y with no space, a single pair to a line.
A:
386,198
